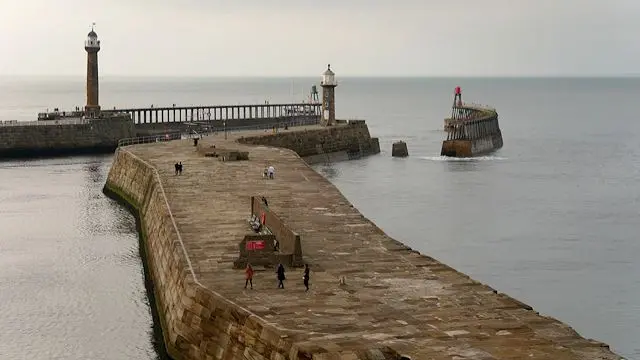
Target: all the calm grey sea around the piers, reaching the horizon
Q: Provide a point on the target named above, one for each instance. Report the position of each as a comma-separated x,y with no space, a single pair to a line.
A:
550,219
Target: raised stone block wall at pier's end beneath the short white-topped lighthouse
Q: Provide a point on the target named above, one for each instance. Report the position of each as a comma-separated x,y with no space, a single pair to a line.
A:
352,138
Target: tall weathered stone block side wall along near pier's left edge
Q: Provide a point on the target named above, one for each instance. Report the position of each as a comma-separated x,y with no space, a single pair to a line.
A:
197,322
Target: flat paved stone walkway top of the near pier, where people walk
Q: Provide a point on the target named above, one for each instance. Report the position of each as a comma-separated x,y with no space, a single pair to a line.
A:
392,295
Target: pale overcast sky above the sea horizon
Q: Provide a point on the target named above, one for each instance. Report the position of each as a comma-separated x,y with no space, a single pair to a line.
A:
299,37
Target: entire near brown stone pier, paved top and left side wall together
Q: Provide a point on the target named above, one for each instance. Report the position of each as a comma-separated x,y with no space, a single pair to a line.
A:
371,297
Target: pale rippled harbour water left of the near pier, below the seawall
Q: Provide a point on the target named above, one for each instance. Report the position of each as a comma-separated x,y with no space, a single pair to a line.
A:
70,272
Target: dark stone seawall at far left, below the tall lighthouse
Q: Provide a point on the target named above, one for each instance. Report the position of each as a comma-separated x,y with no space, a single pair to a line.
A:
64,137
